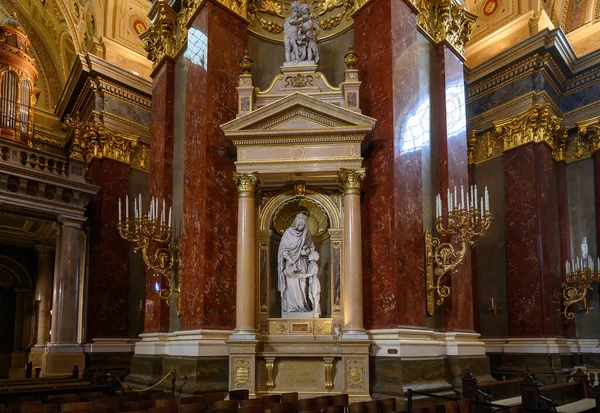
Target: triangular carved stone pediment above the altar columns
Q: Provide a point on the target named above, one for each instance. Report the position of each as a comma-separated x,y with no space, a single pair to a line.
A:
299,113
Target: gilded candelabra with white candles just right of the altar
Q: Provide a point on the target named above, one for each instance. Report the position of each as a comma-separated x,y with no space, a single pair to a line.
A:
467,218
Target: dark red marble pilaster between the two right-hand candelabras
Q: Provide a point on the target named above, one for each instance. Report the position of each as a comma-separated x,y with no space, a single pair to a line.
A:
532,241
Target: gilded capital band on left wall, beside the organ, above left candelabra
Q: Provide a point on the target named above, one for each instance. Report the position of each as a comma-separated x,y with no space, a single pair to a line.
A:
92,140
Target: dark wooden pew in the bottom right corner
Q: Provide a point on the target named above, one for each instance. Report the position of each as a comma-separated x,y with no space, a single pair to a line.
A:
576,396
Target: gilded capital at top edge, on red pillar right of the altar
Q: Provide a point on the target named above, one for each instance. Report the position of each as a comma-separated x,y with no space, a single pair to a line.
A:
445,21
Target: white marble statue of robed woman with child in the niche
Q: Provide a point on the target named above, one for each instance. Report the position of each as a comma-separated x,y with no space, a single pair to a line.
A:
297,268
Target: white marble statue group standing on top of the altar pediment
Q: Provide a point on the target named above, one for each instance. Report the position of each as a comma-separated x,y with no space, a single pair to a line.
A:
300,31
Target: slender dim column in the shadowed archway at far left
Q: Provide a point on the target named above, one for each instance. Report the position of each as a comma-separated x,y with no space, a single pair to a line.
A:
43,293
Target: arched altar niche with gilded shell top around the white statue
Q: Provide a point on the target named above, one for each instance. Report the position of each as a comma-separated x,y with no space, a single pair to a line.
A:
280,212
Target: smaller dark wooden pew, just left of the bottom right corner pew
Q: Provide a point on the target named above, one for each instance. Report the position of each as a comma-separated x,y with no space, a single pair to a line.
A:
506,392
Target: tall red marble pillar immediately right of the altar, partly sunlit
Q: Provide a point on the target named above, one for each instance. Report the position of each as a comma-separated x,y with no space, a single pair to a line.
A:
385,36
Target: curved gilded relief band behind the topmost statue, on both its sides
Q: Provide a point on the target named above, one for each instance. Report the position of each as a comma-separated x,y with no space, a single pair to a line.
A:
267,17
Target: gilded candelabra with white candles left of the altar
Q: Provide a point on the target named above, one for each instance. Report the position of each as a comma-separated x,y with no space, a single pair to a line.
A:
153,235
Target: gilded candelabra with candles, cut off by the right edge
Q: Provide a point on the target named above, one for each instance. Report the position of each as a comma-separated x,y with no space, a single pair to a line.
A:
580,278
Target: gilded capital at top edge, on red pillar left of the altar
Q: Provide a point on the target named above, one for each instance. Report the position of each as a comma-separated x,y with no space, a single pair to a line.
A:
159,40
